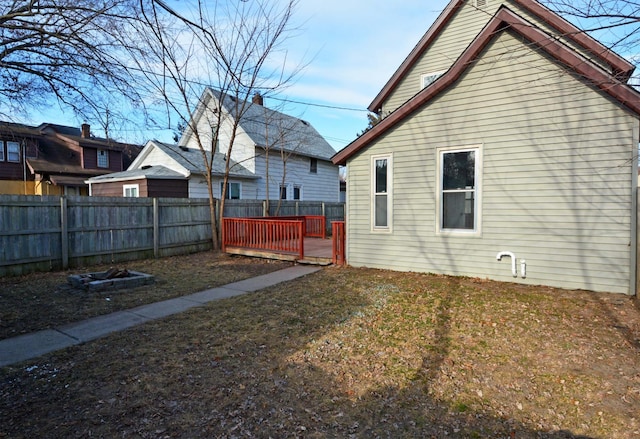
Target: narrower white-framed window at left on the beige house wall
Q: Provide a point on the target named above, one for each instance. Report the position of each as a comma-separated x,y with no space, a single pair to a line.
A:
381,184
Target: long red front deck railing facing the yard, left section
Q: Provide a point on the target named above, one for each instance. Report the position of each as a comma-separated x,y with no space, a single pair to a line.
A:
266,234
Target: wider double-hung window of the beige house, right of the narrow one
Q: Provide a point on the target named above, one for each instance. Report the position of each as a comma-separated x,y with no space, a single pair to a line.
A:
459,195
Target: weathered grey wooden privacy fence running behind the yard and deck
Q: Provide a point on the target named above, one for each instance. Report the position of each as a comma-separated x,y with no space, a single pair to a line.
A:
42,233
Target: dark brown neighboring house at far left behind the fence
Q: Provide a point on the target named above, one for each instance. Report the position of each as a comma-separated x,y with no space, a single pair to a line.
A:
55,159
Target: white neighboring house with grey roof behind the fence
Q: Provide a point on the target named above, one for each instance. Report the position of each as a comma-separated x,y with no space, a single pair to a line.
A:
298,157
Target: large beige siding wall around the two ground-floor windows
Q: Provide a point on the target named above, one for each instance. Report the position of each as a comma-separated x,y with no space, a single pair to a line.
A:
557,178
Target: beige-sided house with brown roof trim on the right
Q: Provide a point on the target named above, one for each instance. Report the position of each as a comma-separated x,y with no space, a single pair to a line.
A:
508,150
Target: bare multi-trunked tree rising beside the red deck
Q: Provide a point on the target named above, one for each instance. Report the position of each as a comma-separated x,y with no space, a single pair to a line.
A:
233,48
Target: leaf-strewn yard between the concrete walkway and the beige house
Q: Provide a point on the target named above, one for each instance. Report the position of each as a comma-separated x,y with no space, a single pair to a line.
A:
349,353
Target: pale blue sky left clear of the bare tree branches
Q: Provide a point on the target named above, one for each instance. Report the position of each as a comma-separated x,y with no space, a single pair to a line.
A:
352,47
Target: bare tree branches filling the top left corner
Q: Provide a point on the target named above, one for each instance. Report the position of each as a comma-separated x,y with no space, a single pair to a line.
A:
69,51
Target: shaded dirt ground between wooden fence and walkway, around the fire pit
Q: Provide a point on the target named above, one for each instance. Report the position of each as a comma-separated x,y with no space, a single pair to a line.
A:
47,300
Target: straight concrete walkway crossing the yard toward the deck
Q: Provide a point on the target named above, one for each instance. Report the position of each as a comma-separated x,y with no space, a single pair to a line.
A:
27,346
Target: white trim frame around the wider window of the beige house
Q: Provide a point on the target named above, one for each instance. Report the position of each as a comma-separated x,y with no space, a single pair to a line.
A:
477,230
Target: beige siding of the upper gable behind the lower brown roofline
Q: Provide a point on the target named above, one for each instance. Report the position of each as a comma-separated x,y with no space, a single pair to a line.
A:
464,26
